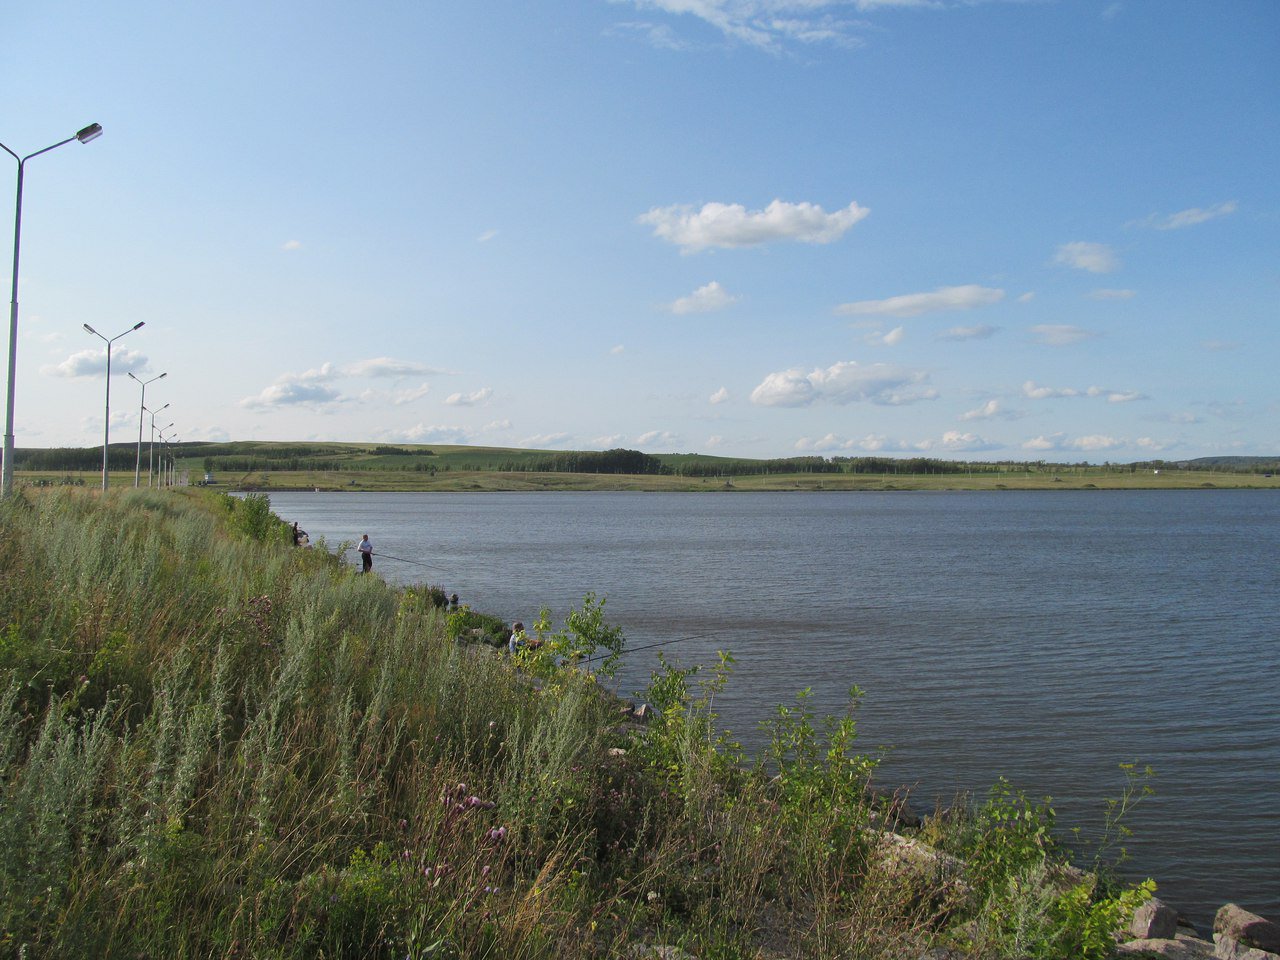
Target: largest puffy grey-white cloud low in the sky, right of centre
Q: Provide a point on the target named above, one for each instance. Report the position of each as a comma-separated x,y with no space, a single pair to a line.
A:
845,382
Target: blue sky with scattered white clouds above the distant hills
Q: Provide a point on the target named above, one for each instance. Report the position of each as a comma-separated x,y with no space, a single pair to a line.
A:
1008,230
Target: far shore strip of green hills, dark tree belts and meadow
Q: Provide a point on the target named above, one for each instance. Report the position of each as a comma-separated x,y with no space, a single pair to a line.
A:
264,467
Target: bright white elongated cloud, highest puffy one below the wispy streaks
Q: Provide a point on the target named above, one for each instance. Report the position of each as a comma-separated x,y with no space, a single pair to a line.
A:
730,226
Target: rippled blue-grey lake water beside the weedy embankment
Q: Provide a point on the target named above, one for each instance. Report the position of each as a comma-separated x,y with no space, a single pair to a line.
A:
1041,637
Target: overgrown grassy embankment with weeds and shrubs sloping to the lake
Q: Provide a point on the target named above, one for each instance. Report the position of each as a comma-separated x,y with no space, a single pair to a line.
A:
217,746
